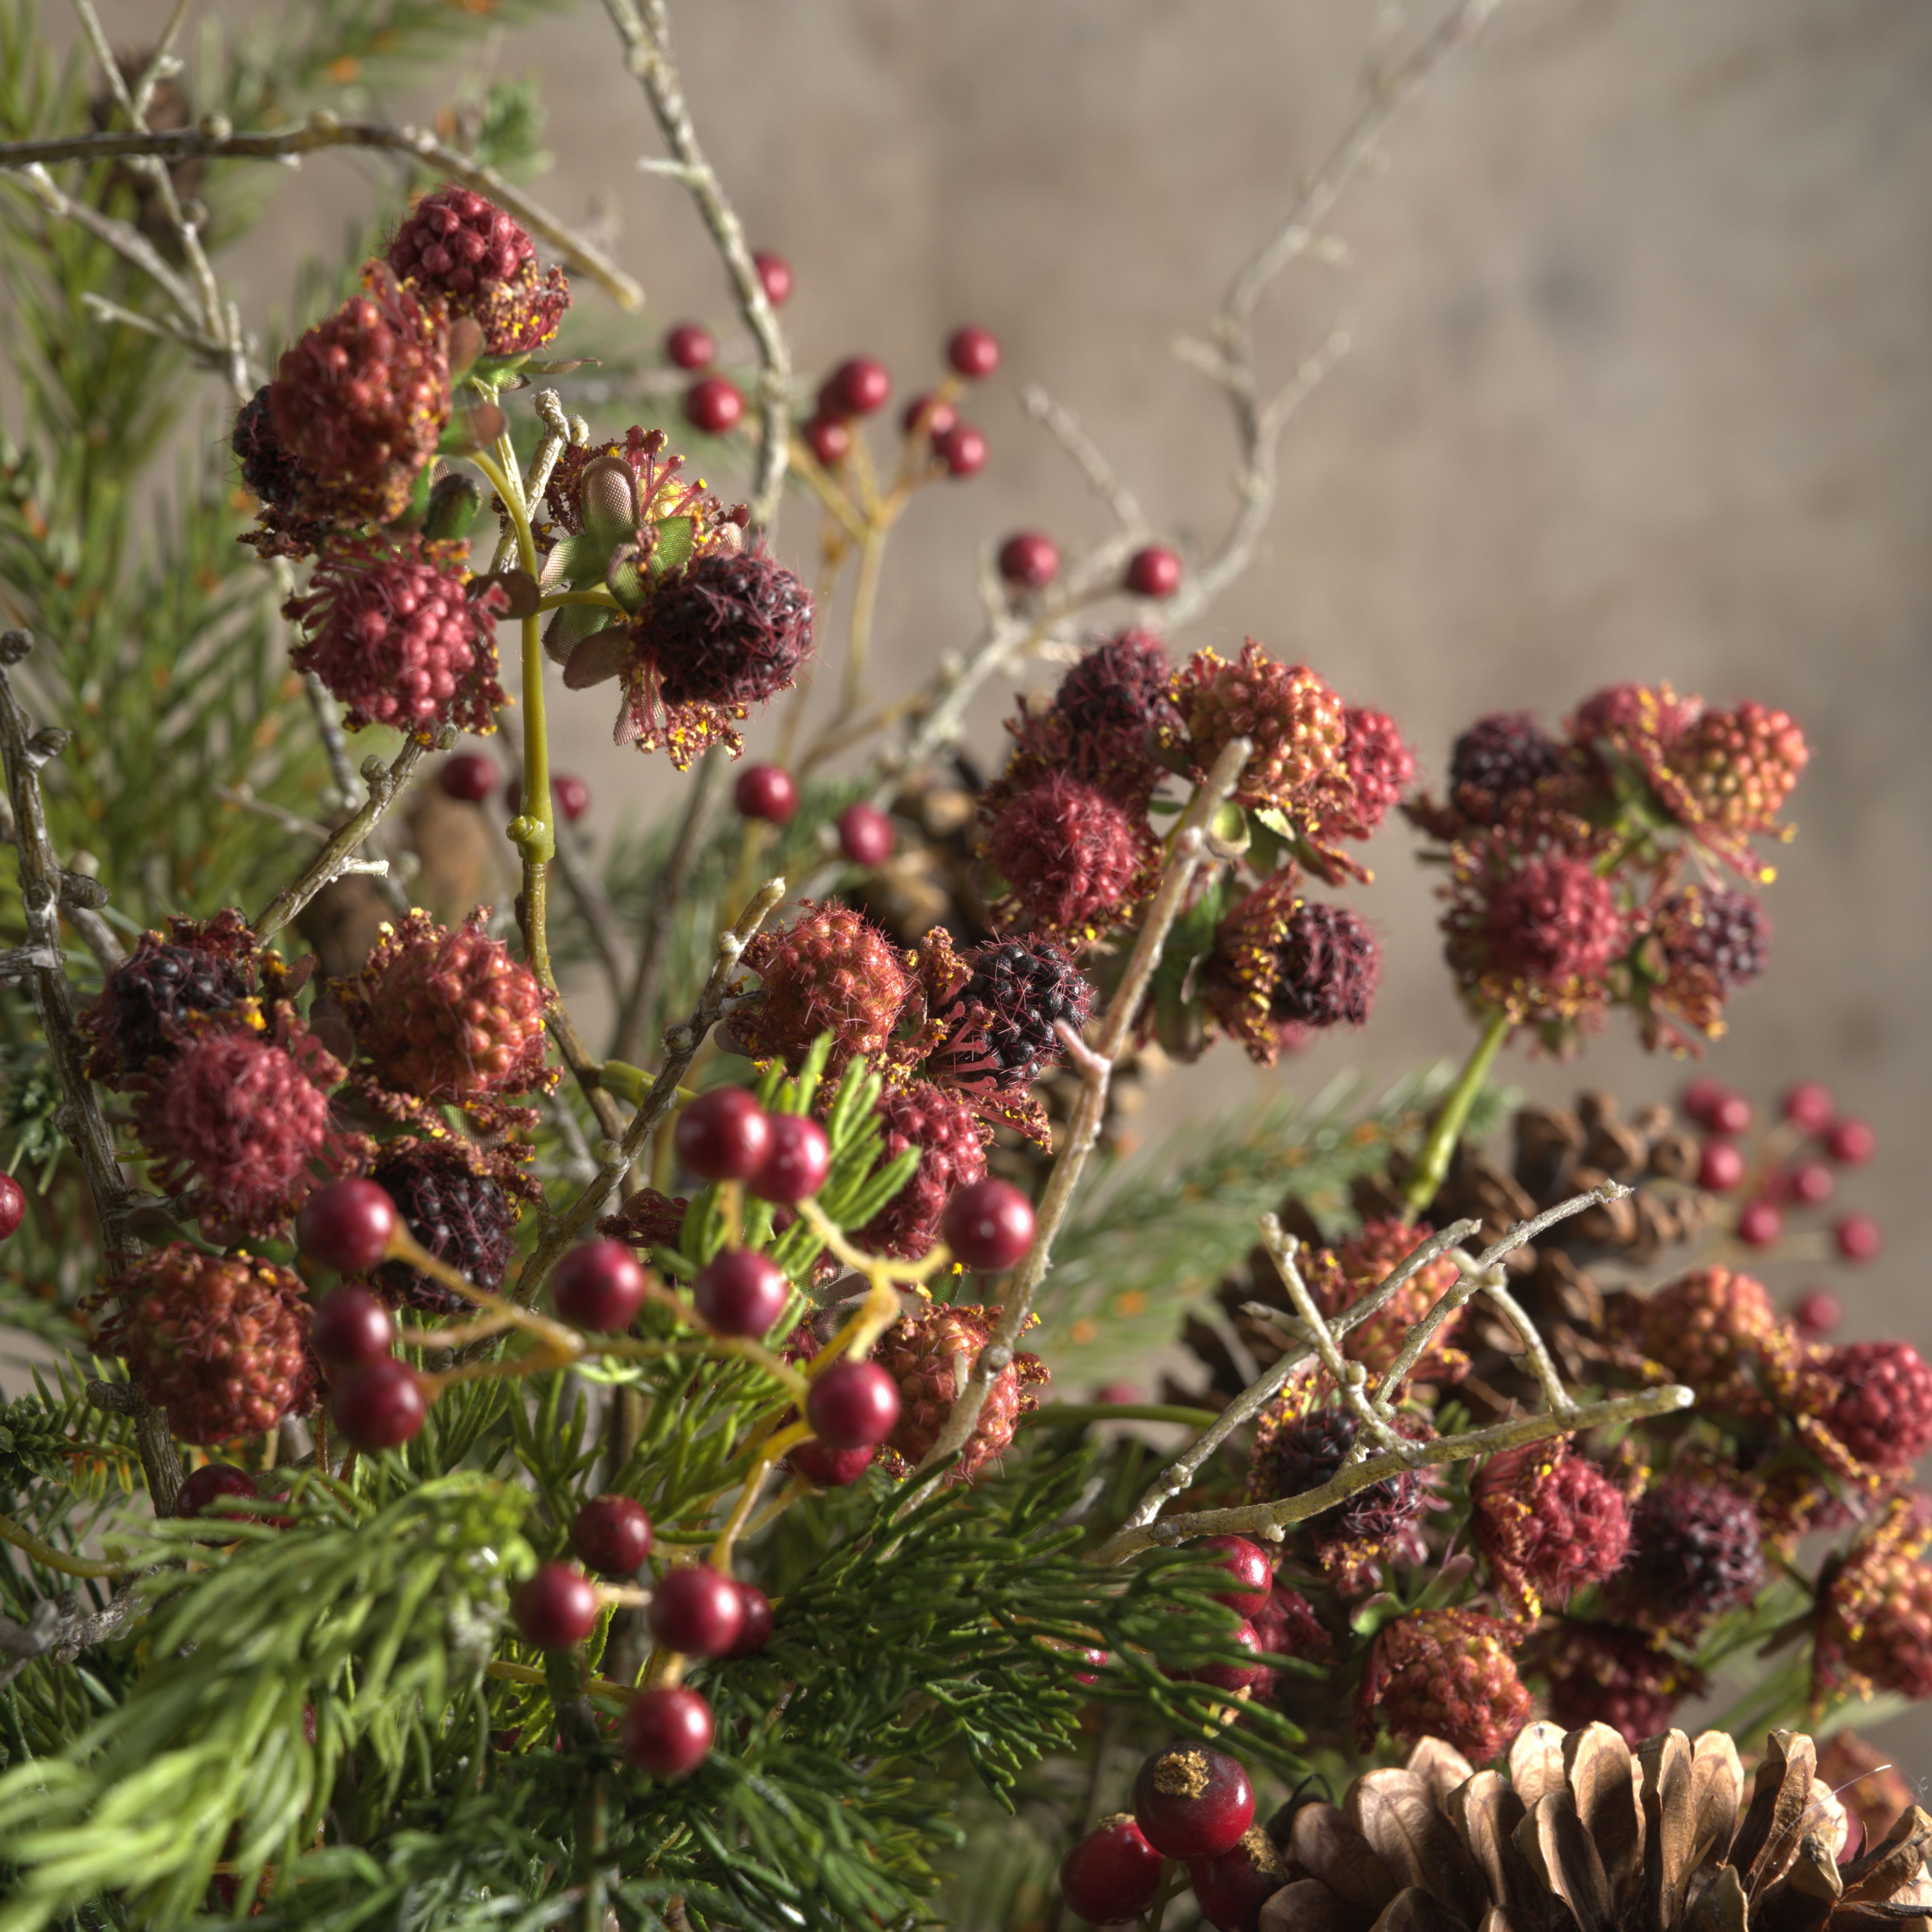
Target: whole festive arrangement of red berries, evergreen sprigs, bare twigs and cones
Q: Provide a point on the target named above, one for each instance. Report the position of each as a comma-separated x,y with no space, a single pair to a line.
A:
484,1481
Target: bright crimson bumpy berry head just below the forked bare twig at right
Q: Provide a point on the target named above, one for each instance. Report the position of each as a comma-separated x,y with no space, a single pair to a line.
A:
1548,1521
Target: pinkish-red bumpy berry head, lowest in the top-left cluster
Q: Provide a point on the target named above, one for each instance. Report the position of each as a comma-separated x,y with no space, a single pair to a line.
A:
399,640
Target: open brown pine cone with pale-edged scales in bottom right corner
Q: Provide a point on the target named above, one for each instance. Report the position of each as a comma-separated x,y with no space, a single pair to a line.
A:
1587,1836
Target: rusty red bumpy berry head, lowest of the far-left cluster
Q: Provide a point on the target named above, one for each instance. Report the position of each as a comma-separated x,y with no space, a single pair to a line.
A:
221,1346
